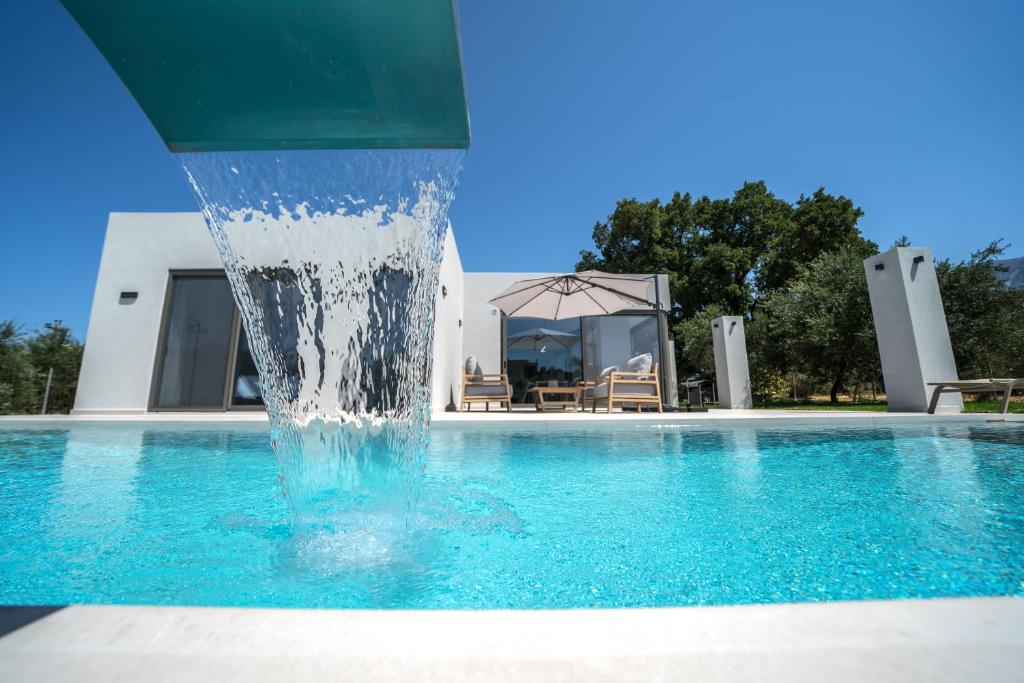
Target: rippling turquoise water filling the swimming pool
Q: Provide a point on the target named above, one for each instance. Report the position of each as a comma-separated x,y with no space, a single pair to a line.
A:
523,518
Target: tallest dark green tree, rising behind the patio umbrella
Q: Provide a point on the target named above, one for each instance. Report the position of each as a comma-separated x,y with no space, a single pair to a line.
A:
721,253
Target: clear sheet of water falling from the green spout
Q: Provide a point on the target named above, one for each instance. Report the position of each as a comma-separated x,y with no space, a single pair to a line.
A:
333,258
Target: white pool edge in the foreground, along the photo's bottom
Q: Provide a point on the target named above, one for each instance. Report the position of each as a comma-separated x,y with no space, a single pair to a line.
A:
972,639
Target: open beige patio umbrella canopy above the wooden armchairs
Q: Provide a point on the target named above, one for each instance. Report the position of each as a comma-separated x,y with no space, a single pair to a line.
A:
575,295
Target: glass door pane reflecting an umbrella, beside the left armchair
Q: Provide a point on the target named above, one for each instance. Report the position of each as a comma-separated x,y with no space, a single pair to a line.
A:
541,352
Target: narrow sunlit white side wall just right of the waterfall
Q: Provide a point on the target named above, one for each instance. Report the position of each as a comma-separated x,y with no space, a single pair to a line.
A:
448,333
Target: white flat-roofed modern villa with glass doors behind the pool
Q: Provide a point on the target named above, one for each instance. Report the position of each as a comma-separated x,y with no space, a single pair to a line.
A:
165,333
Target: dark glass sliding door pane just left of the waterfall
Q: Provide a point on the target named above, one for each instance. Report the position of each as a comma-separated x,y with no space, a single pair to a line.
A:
197,344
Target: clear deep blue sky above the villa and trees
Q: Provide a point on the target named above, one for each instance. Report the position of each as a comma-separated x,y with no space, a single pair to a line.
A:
912,109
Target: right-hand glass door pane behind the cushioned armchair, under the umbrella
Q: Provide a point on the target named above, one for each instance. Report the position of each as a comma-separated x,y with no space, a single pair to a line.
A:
612,340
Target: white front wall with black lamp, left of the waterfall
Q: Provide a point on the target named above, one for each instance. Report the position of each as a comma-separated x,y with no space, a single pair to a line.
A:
121,345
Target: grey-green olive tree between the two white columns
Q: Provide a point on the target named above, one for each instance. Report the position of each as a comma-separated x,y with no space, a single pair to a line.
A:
822,322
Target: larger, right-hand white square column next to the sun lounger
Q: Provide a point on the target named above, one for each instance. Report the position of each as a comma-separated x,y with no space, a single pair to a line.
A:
911,326
